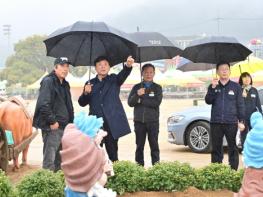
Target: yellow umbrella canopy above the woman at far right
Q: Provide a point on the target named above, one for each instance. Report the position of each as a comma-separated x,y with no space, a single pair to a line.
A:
252,65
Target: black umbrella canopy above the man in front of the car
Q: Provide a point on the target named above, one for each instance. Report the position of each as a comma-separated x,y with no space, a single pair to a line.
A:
215,49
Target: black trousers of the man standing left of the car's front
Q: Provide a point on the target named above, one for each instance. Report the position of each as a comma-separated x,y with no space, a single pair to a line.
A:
141,130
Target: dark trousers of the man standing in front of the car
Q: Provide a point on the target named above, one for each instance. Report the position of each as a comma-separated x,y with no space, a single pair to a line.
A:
218,131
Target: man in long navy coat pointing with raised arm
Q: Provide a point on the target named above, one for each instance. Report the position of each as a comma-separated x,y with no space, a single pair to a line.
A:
102,95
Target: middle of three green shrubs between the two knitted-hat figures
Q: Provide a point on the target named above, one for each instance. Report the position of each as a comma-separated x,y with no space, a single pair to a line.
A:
170,176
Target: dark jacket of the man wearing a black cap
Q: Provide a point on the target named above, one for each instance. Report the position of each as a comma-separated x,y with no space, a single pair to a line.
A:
54,103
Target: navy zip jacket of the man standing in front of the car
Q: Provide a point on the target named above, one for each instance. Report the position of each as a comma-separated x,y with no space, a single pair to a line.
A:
227,103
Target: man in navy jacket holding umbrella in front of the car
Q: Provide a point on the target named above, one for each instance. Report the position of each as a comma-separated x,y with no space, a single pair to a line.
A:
228,112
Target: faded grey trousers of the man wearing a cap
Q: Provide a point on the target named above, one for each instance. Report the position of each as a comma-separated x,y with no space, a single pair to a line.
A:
51,148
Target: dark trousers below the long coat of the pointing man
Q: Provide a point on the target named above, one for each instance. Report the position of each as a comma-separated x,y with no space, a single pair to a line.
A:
111,144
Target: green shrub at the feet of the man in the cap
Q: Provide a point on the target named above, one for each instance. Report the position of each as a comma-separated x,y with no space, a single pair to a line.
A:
43,183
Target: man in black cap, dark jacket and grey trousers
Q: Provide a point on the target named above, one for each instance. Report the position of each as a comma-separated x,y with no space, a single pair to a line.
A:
54,110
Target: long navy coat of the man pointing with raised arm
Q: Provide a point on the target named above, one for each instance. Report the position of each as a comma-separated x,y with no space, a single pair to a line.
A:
104,101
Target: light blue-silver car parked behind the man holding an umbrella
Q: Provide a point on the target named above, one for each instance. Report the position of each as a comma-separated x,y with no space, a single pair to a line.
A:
191,127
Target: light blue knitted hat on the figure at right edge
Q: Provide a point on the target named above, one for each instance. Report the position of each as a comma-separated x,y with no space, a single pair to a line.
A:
253,154
